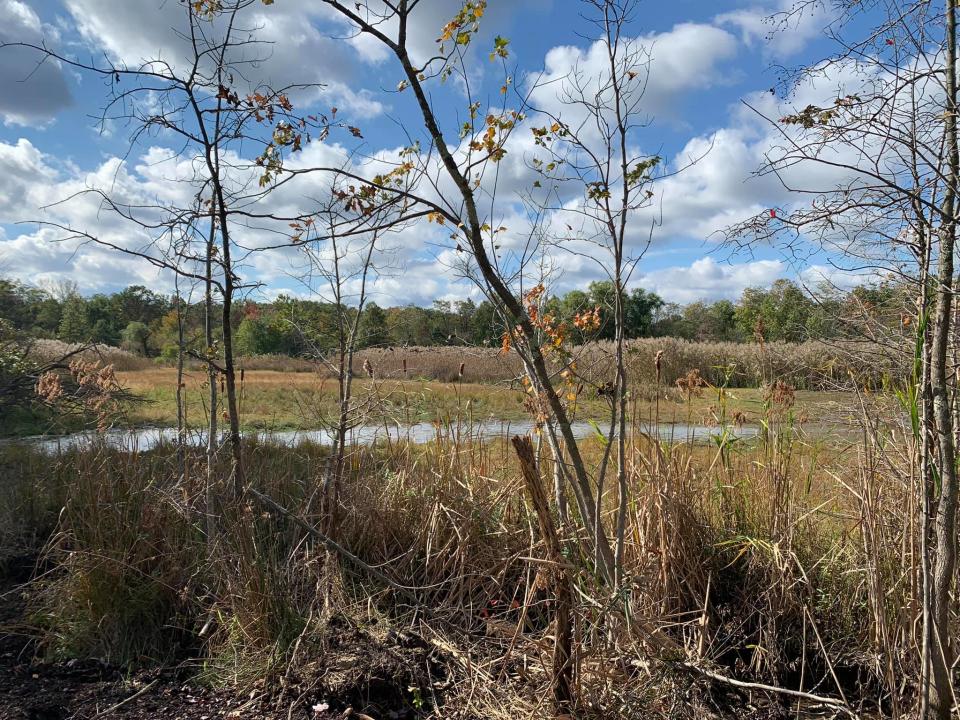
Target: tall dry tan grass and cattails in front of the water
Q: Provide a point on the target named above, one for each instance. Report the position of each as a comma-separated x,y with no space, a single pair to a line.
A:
779,561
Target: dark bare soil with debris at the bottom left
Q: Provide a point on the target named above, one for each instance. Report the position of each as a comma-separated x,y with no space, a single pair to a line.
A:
359,677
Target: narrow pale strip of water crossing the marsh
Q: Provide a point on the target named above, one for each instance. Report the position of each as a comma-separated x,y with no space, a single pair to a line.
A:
142,439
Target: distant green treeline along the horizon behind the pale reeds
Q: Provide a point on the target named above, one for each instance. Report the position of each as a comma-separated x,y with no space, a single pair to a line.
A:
148,323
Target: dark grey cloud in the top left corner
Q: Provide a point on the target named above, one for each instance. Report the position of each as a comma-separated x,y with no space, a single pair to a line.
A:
32,90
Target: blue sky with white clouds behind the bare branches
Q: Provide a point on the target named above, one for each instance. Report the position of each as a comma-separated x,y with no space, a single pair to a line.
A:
709,59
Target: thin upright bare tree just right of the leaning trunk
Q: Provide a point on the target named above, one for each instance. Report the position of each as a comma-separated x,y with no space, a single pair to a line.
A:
590,145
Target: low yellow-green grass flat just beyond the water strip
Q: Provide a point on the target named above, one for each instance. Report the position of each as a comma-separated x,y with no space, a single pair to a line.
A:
278,400
